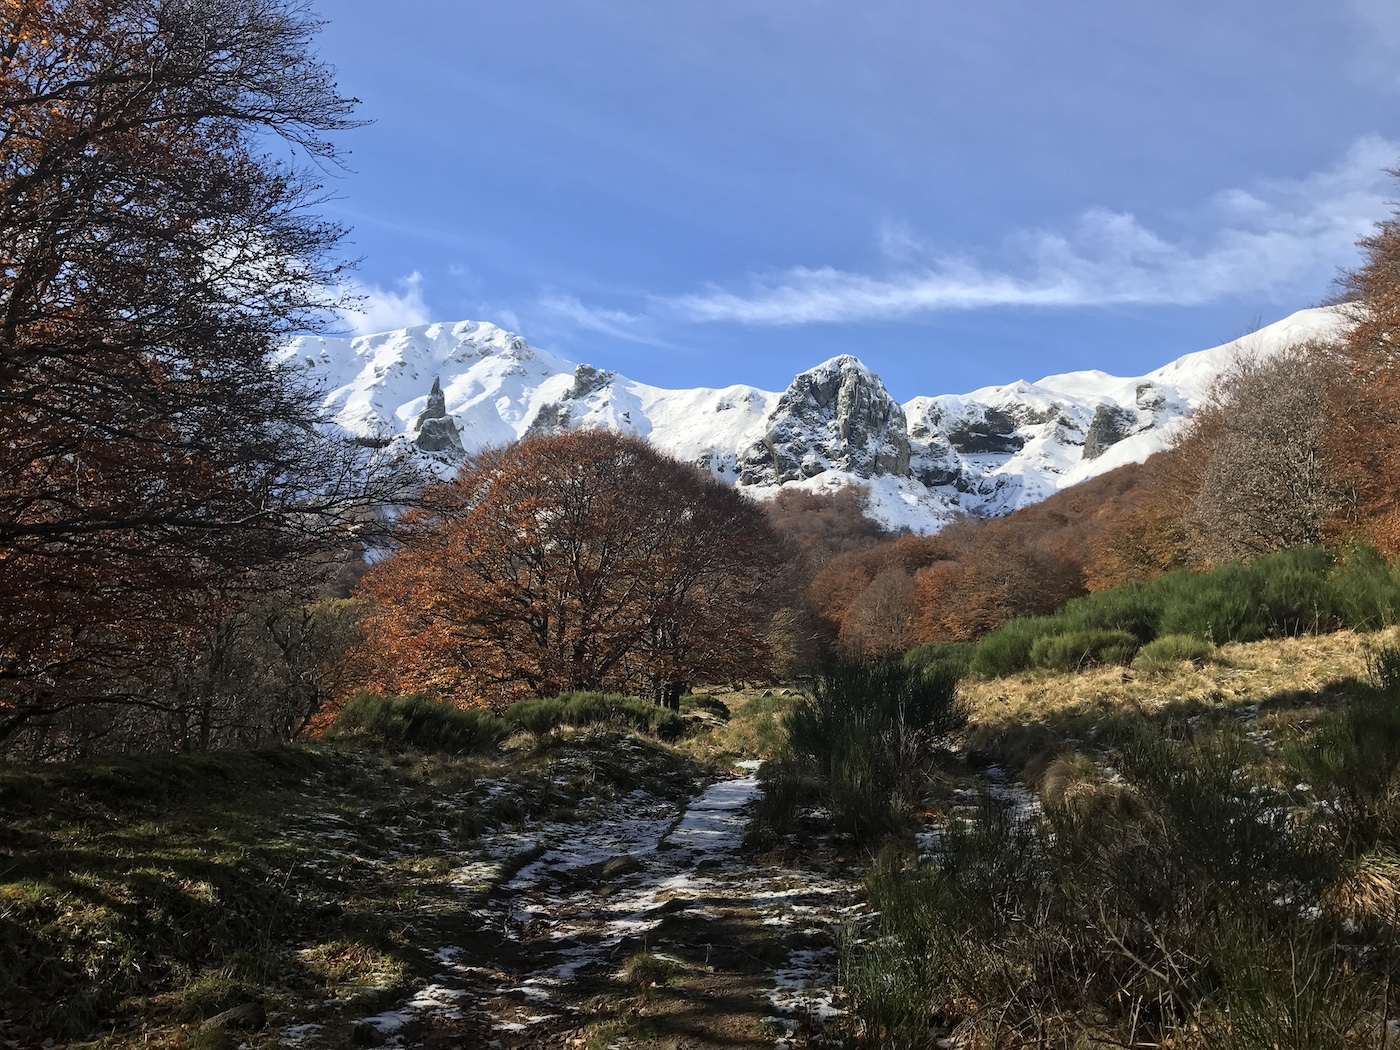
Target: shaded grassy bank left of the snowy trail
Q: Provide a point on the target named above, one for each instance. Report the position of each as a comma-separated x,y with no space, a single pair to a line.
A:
143,899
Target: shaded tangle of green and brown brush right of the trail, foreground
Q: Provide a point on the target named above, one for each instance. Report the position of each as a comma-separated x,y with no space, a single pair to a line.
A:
1193,909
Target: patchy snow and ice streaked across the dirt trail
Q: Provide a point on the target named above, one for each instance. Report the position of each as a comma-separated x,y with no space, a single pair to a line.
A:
600,891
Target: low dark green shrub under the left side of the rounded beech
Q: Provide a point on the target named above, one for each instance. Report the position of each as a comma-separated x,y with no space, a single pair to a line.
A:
421,723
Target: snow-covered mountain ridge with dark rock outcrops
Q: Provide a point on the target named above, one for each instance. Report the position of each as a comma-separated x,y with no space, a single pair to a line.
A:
458,388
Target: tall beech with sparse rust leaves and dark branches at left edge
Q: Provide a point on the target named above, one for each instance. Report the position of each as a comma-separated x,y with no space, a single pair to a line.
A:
155,465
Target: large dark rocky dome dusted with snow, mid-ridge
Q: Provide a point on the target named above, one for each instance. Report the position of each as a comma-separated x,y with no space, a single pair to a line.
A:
838,416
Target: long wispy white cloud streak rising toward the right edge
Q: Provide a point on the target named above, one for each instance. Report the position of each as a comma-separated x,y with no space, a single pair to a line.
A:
1280,237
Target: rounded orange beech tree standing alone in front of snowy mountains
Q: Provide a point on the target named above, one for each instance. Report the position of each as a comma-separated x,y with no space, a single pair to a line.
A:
576,562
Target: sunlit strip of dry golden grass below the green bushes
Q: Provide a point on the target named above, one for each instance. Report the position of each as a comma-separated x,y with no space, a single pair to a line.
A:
1290,681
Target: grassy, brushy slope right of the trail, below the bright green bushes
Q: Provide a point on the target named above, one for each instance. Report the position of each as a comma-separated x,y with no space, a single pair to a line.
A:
1199,853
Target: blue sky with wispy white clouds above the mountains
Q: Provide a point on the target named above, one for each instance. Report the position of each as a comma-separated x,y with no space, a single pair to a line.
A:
702,192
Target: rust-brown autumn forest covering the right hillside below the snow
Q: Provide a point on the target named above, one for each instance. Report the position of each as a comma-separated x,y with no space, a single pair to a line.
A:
1296,449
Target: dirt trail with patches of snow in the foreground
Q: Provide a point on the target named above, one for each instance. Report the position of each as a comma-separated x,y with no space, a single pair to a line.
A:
643,927
